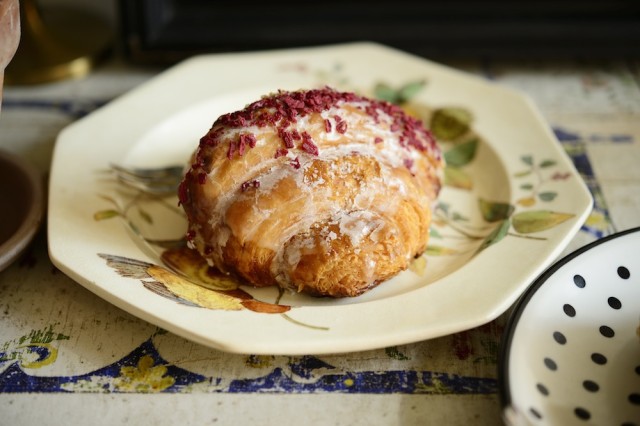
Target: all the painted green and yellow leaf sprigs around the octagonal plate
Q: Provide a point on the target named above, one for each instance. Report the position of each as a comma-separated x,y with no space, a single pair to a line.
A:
186,277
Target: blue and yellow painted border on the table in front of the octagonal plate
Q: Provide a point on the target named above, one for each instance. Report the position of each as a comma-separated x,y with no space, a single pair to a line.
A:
135,373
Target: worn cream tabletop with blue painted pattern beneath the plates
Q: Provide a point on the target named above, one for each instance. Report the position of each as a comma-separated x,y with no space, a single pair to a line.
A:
67,356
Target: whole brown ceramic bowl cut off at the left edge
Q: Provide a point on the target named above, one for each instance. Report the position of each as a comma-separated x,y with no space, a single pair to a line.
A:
21,206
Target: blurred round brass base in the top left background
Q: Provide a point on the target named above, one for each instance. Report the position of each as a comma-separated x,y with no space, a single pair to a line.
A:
57,45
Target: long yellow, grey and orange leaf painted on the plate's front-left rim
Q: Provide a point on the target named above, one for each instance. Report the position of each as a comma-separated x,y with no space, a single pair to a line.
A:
178,288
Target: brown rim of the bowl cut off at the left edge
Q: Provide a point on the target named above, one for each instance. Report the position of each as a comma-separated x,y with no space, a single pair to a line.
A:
14,246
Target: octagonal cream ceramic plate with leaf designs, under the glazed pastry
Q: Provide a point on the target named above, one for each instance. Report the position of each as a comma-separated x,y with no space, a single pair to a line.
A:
511,205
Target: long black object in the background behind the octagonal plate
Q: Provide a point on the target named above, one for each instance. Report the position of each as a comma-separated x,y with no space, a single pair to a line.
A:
165,31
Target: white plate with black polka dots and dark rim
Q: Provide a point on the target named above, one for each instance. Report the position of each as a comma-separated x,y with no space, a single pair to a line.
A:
571,350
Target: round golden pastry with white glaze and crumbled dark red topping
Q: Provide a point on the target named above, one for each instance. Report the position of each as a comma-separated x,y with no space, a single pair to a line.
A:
323,192
